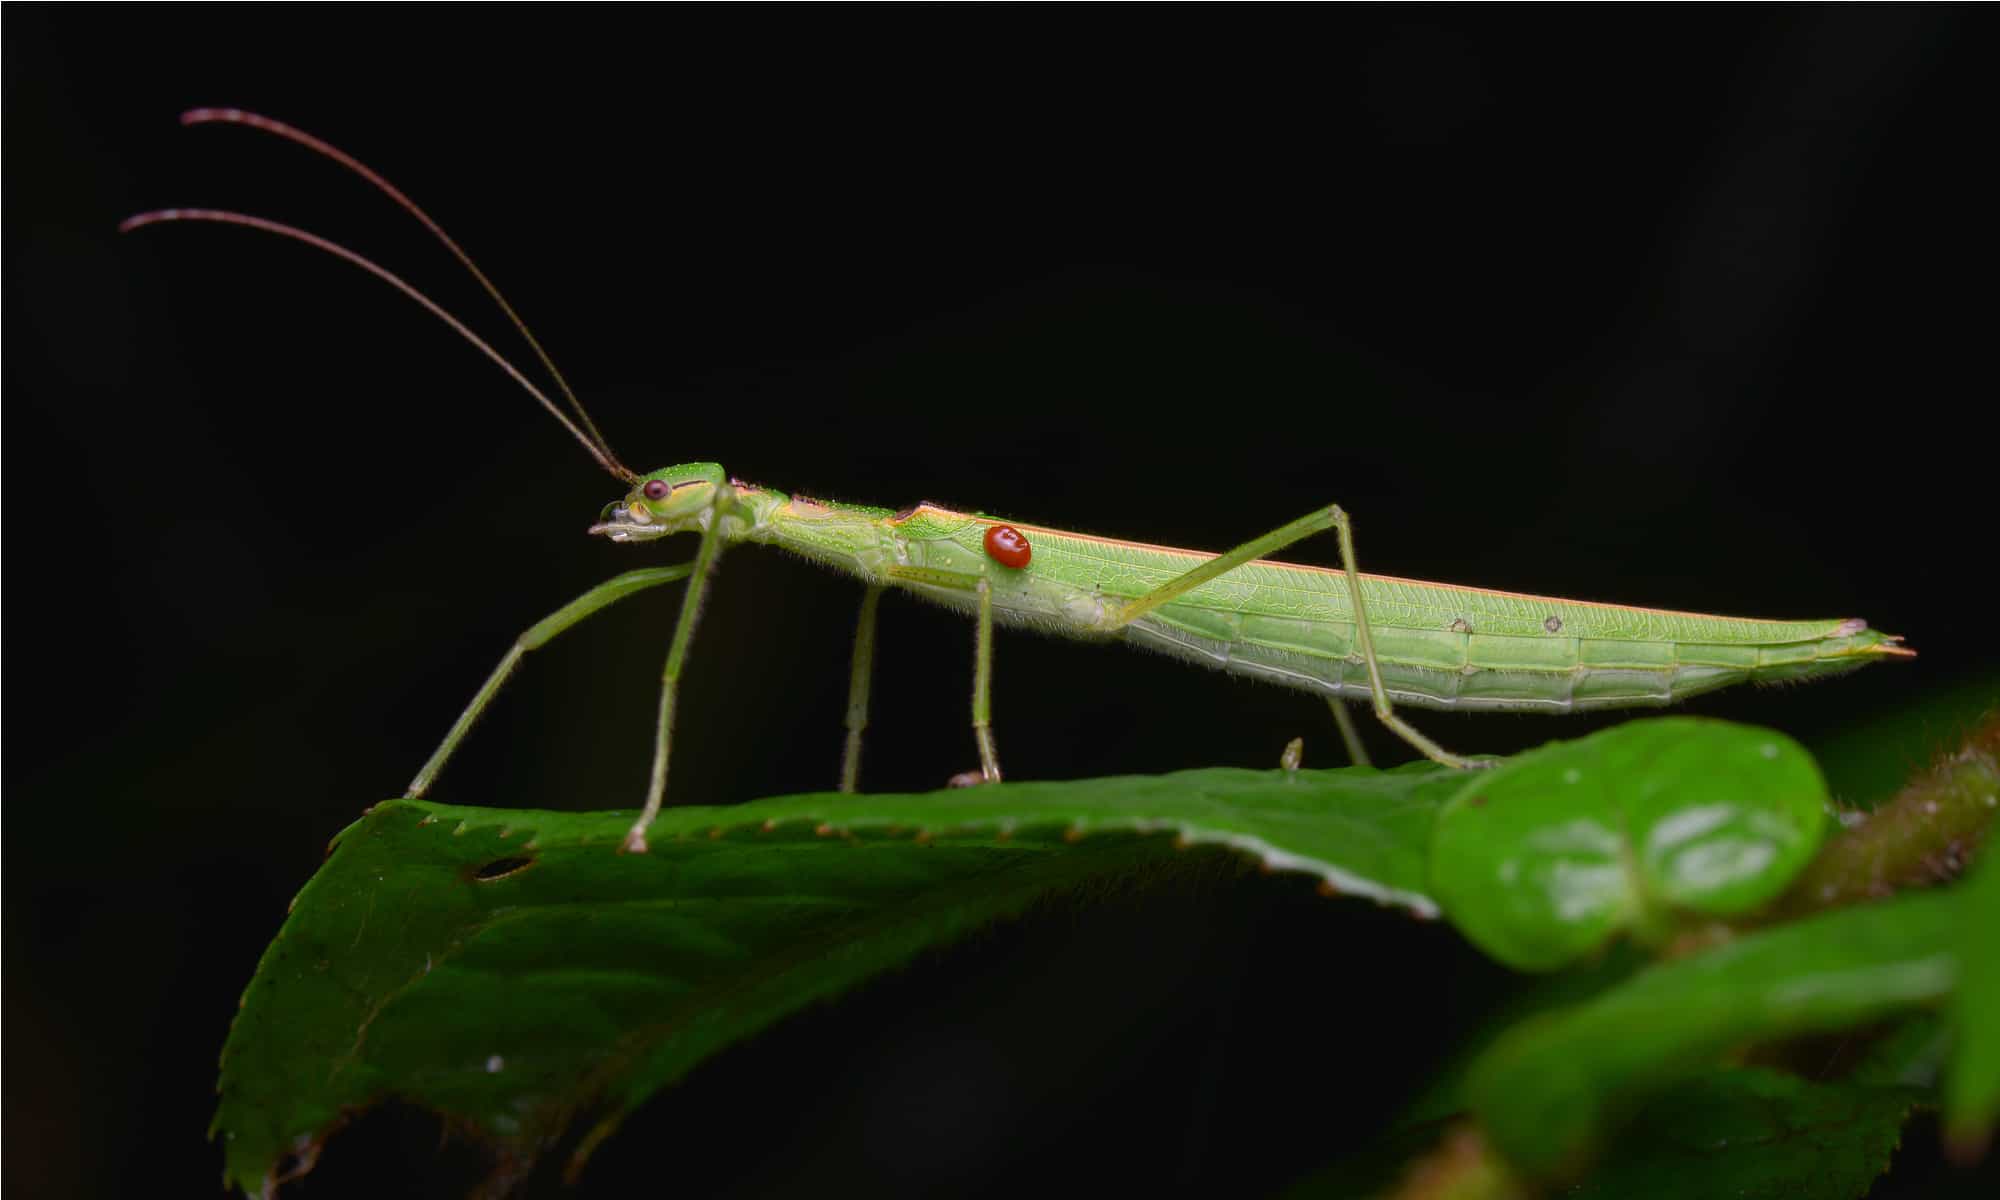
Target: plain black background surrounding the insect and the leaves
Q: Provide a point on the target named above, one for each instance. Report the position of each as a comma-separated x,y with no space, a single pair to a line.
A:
1677,309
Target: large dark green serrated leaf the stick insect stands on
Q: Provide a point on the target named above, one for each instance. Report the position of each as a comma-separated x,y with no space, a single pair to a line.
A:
509,971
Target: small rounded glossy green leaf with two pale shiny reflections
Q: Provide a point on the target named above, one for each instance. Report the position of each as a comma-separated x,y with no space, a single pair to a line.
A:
1561,849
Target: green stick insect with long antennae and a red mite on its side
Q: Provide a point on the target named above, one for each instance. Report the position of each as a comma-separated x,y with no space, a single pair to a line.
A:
1337,633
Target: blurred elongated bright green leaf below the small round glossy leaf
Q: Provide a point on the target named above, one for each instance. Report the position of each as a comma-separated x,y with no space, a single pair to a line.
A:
1553,1089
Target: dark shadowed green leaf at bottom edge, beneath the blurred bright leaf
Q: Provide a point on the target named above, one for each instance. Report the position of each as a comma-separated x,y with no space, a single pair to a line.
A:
1755,1135
